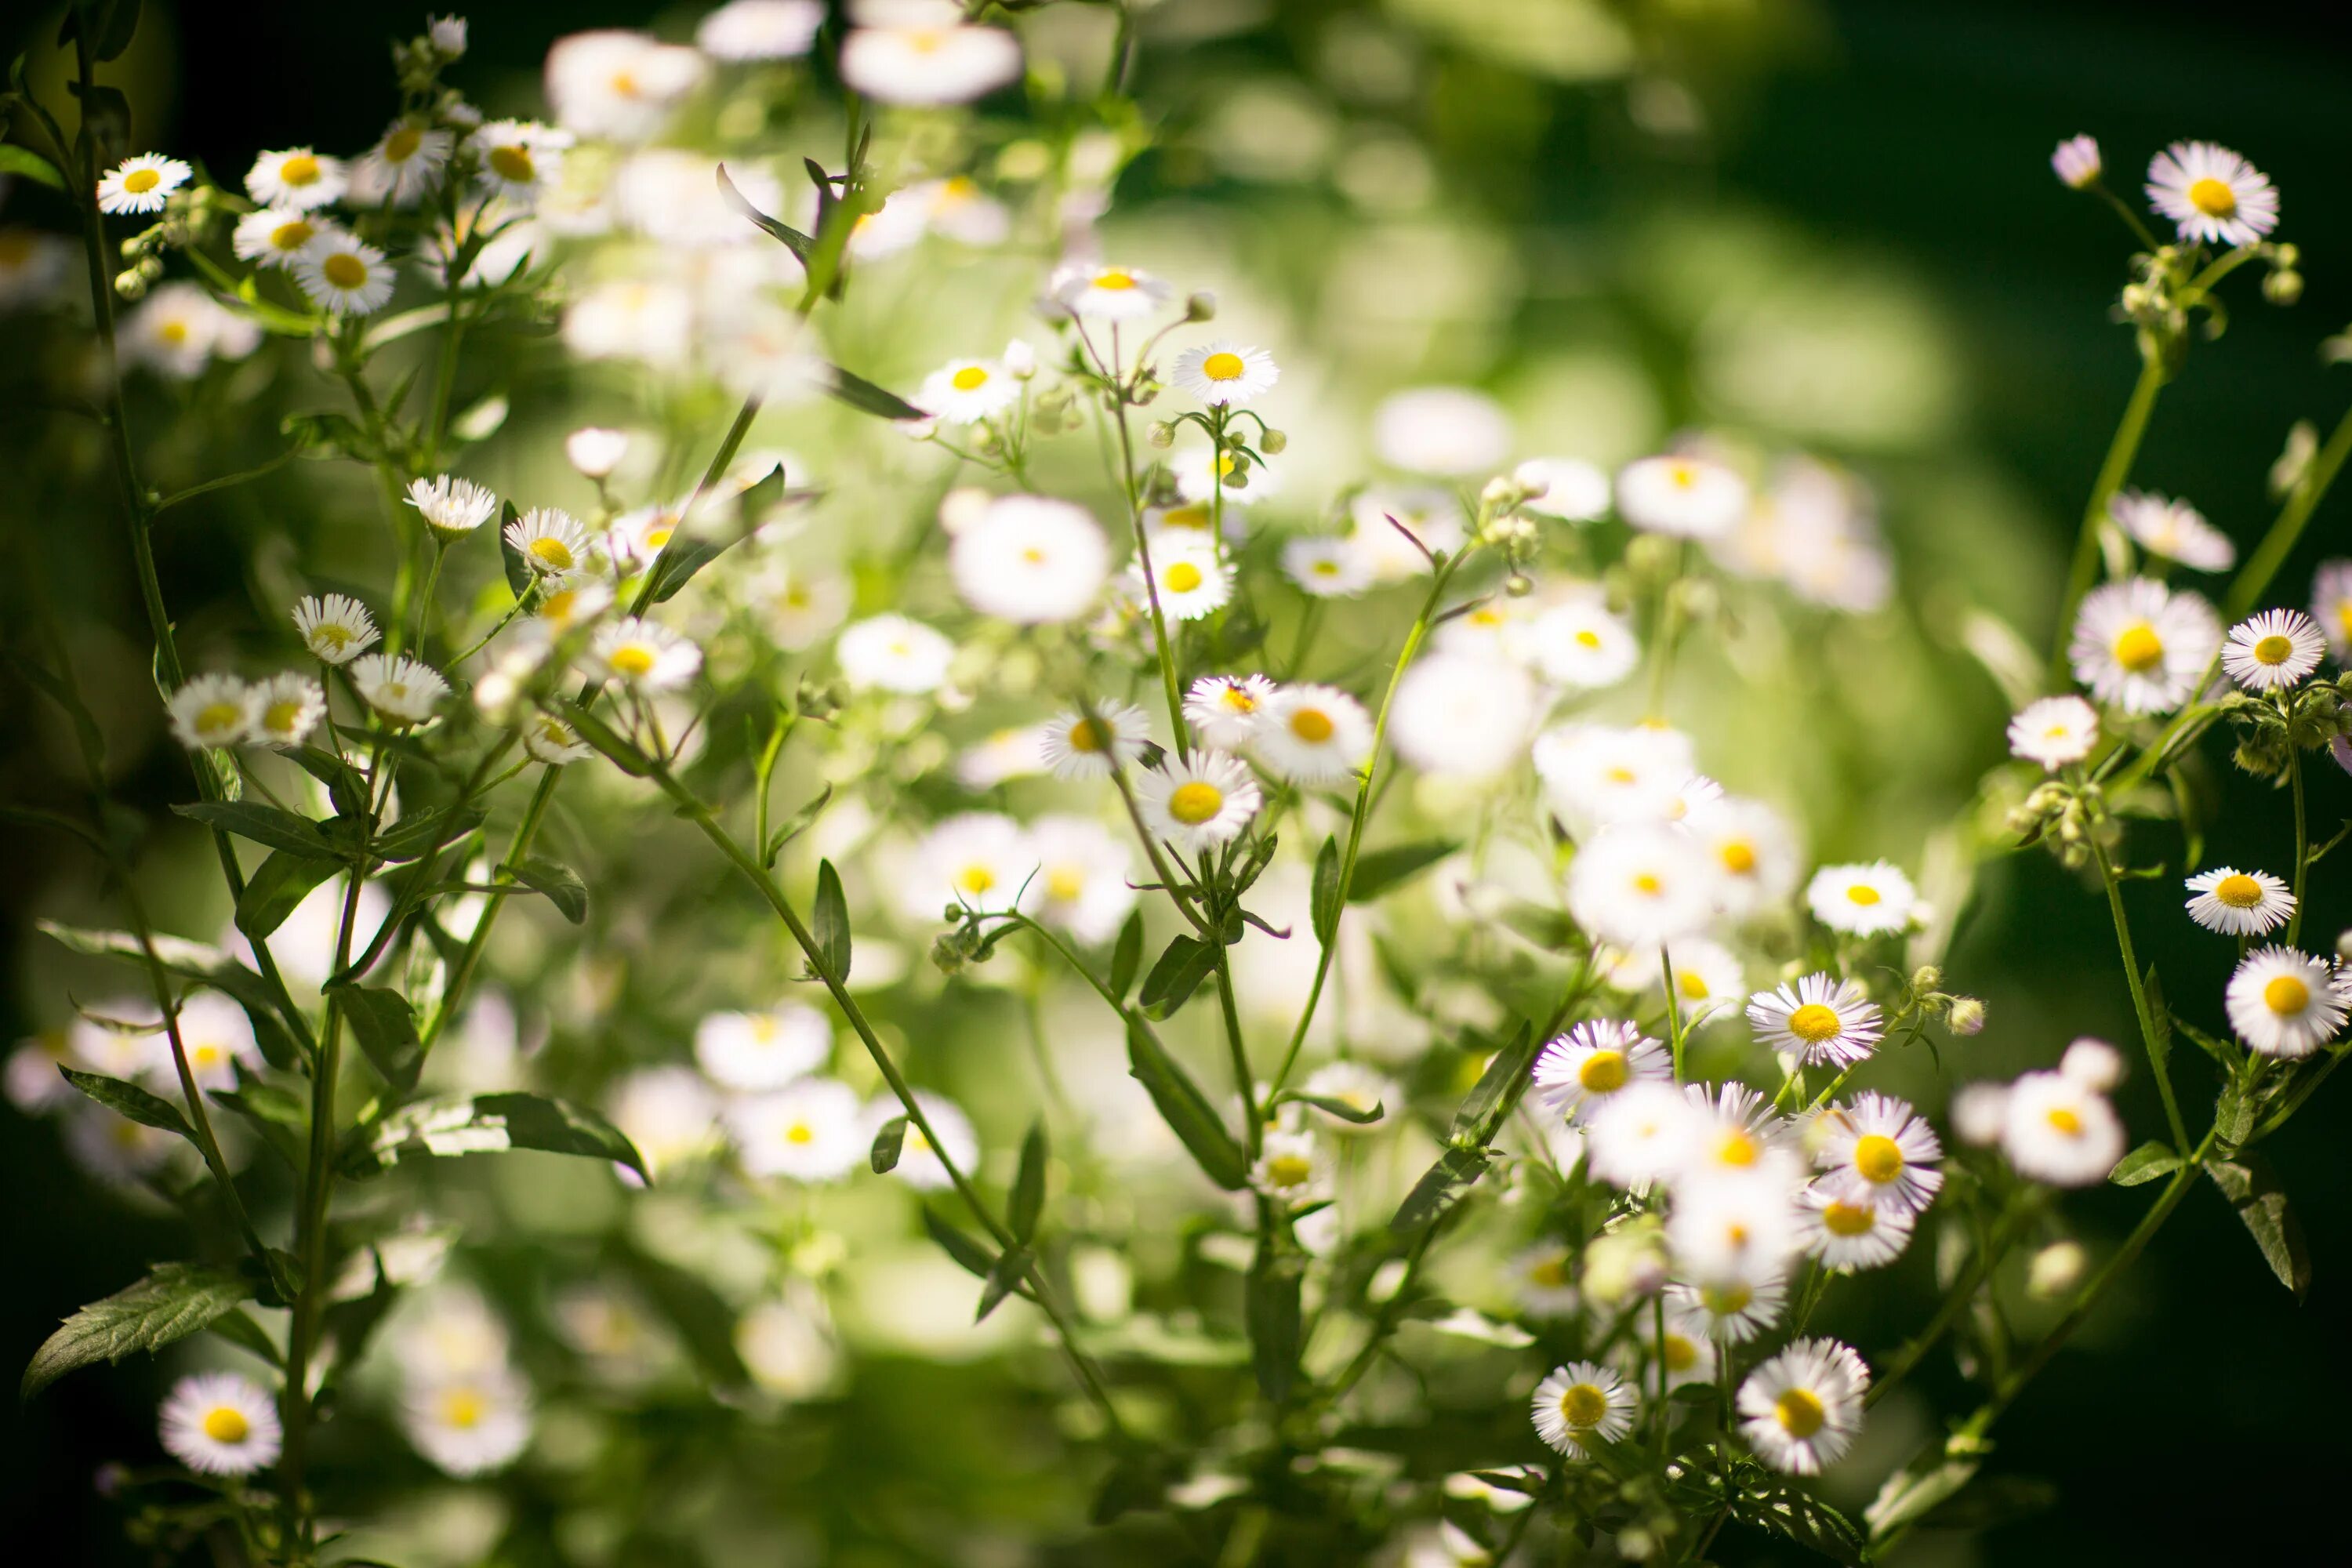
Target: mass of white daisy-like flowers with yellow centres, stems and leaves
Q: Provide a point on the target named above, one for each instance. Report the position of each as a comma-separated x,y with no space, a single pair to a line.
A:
1403,1101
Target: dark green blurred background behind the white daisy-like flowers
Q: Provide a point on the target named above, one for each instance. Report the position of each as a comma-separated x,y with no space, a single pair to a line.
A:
1746,199
